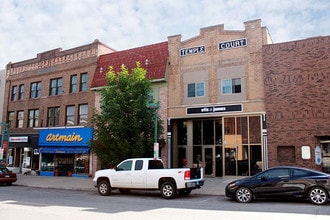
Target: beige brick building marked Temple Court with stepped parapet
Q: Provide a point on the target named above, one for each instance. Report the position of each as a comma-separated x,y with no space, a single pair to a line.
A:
216,99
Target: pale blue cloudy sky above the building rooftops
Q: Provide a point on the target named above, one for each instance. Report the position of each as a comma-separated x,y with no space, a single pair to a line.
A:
28,27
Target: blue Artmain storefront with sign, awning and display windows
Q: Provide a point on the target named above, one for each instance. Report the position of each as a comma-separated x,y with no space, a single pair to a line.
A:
65,152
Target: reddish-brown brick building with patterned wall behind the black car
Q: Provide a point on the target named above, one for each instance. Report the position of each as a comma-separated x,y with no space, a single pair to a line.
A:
297,88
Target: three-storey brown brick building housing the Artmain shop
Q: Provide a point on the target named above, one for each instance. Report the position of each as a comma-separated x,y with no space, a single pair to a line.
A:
48,105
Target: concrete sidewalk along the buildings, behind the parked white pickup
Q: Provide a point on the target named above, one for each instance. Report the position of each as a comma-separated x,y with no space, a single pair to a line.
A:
212,186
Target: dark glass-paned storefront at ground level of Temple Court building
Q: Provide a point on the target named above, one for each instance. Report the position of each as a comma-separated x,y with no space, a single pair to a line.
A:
223,145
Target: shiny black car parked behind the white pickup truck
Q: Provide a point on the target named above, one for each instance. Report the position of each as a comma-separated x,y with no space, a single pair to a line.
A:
282,181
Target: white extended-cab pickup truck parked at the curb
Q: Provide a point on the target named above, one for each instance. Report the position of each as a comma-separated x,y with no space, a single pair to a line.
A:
148,174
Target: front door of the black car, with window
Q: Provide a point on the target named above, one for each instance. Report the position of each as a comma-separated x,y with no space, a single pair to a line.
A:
272,182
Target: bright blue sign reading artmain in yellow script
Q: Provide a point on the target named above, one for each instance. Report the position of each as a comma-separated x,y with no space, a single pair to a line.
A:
65,137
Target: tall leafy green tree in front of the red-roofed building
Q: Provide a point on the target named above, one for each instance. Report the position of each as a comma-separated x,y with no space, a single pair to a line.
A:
124,126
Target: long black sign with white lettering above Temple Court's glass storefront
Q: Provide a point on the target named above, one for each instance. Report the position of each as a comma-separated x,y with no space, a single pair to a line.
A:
214,109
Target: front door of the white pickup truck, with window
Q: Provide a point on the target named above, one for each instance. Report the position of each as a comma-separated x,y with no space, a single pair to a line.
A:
122,177
